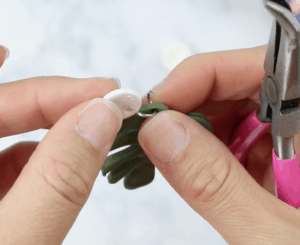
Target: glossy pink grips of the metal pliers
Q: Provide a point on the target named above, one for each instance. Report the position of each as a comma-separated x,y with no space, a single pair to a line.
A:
286,172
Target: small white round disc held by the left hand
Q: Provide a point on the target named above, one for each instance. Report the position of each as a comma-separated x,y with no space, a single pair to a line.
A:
127,100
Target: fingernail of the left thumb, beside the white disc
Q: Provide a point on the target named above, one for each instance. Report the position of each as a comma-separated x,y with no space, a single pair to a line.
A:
99,123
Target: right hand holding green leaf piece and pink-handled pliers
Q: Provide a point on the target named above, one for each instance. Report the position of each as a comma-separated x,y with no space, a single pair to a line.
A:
239,203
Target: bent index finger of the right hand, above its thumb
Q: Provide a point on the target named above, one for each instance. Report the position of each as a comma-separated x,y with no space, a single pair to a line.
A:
220,76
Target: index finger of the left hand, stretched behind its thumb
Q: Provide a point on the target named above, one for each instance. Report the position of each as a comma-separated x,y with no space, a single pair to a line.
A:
39,102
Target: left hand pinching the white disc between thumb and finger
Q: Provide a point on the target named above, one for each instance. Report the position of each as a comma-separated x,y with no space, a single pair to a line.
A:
45,185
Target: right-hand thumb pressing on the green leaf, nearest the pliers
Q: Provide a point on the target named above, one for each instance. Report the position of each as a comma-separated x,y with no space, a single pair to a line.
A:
210,179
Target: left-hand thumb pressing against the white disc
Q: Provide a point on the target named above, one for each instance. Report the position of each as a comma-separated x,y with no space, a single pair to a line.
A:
56,182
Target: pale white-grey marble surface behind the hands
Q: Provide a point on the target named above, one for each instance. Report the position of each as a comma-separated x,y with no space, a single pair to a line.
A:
138,42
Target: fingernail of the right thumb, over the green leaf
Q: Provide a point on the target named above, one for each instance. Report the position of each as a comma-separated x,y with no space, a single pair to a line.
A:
164,138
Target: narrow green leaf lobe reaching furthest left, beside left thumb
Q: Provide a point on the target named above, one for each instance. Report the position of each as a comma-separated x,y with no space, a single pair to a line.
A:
116,159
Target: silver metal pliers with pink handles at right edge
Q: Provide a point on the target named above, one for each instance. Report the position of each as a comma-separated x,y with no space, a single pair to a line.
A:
279,104
